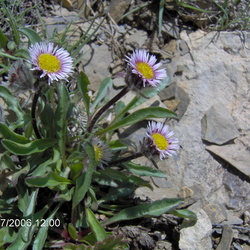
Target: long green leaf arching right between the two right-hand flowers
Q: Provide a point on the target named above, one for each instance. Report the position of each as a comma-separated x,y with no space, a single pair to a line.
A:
139,115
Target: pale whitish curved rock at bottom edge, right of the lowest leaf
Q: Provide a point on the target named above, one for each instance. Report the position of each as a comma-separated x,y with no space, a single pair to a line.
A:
197,237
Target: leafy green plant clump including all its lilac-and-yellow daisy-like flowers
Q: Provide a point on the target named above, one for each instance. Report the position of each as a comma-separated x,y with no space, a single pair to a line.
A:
65,177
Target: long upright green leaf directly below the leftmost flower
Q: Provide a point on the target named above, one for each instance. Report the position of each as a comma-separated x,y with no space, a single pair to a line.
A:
61,118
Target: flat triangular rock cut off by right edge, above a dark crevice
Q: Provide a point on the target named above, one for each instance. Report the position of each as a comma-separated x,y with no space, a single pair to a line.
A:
234,154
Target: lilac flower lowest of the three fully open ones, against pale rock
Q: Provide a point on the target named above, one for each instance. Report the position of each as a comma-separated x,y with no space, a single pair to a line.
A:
159,137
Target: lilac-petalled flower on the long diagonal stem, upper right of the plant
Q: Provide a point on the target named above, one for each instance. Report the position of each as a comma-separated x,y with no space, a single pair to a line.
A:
145,67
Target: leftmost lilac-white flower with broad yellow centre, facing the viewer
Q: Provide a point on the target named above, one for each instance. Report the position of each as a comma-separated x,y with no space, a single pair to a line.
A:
54,62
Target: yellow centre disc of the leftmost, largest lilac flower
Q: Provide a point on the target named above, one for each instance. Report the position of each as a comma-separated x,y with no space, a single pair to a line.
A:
49,63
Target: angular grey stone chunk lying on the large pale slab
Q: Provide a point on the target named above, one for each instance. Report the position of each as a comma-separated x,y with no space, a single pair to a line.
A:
218,126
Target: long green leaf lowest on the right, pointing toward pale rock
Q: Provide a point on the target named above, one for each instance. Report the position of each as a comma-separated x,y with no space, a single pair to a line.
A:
154,209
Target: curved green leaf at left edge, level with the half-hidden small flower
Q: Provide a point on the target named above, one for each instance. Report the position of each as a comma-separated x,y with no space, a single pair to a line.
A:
35,146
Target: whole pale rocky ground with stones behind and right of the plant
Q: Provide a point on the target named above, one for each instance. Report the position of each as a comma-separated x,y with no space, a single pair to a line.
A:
209,90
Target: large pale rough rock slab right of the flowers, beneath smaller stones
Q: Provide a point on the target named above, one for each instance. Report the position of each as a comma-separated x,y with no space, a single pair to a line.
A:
209,75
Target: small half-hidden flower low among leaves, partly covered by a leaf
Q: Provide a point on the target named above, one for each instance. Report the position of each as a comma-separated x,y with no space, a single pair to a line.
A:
103,153
